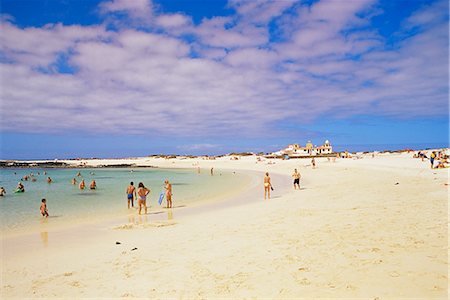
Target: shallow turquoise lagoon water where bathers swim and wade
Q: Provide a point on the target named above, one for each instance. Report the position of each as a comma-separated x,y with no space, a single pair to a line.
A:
66,202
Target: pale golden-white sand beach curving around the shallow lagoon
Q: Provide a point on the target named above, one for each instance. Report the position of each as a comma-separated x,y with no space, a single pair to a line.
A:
373,228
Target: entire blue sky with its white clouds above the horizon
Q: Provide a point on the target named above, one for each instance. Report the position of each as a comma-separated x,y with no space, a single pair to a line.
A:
120,78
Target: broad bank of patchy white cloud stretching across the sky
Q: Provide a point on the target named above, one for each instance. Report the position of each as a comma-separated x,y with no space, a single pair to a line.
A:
241,83
